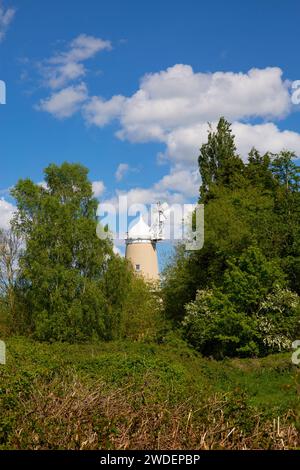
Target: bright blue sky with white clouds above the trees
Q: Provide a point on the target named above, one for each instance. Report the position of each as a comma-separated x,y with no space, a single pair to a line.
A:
127,87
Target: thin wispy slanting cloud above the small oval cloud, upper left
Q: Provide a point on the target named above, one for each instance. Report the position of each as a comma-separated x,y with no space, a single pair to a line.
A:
67,66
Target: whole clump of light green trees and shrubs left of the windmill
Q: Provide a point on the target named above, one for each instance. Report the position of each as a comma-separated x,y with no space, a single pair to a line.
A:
59,281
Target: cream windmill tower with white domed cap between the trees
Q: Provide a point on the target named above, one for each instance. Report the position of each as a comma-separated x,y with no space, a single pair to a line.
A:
141,246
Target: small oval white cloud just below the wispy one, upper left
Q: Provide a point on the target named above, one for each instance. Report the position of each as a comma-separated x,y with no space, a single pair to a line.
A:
66,102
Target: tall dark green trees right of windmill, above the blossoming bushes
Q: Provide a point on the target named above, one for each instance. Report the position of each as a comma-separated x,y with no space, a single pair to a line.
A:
248,206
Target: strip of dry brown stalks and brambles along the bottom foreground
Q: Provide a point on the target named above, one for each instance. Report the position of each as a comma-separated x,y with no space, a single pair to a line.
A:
71,414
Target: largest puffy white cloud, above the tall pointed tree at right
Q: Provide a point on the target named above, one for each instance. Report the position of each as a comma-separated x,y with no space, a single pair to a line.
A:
178,97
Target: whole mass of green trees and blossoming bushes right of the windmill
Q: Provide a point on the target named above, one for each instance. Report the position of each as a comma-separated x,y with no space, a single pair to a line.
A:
239,295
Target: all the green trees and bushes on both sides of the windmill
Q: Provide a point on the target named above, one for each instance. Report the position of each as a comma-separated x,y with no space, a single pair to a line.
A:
237,296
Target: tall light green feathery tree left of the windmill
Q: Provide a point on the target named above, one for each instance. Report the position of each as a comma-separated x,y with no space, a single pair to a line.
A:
64,263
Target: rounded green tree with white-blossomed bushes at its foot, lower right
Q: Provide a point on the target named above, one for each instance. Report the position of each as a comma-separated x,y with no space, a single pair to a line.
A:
252,314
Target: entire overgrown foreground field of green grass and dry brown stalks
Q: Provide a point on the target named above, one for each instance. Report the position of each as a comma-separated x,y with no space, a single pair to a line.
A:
134,395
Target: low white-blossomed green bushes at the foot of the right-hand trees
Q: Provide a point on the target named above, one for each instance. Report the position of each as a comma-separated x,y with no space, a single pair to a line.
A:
214,326
